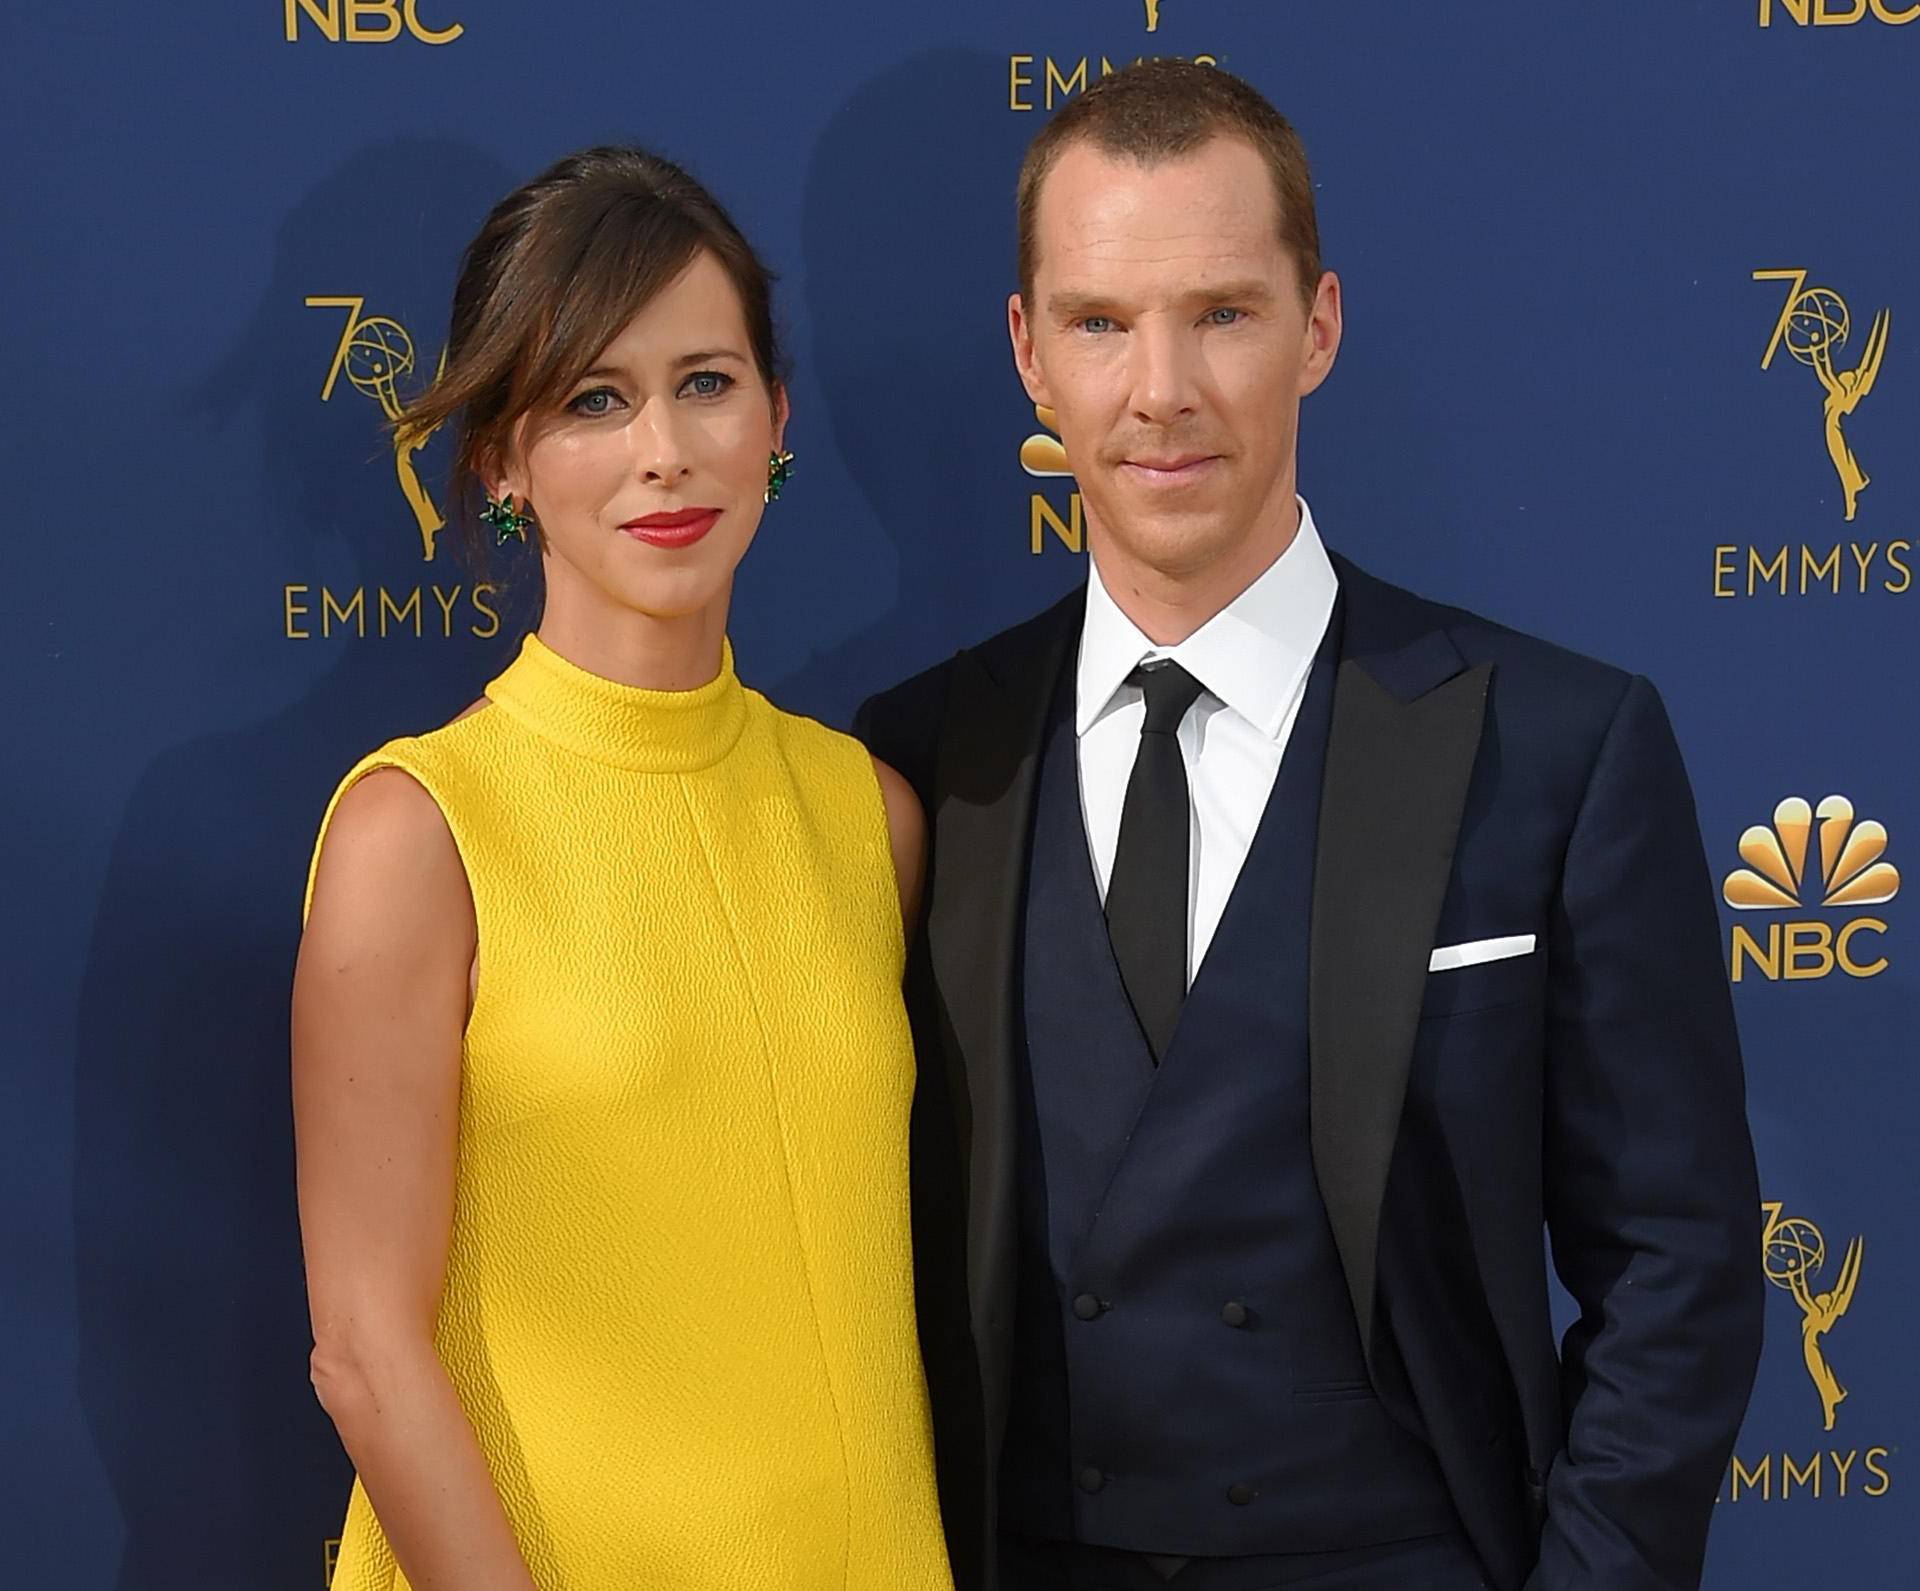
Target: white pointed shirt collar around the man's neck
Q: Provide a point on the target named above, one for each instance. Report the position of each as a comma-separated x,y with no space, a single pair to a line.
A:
1251,655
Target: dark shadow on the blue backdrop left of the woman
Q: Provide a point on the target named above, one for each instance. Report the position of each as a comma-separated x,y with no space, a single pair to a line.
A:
193,1358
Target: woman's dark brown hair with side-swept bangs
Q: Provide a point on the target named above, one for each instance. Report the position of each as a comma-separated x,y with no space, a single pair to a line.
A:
556,273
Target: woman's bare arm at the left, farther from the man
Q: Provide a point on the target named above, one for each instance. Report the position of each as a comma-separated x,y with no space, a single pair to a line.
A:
381,1001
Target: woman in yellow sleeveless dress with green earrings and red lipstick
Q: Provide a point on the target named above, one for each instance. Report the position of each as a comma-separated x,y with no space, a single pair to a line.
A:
600,1062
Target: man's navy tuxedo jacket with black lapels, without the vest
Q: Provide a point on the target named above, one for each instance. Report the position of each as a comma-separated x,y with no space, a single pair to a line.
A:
1479,784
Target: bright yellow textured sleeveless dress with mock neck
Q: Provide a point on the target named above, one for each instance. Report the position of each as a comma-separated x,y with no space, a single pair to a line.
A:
679,1304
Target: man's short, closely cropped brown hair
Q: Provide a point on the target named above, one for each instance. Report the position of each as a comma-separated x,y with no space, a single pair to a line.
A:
1163,110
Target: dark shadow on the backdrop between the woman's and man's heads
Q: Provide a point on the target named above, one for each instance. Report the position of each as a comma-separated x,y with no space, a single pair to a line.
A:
909,245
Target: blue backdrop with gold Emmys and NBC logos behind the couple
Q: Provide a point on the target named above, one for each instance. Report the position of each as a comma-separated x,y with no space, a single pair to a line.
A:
1633,362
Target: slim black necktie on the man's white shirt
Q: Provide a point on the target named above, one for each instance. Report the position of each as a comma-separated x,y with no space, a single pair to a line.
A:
1147,893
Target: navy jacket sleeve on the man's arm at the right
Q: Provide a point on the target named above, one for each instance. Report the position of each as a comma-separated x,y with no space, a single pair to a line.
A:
1650,1181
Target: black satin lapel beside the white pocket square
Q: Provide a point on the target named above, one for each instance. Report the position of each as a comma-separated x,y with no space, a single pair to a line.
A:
1391,809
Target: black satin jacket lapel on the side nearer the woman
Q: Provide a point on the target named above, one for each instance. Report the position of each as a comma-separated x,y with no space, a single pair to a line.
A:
982,834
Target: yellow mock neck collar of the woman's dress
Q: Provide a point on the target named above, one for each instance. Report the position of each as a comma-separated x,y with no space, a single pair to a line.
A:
625,726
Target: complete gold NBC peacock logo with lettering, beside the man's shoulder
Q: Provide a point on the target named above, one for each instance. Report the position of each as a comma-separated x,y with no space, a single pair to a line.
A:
1812,859
